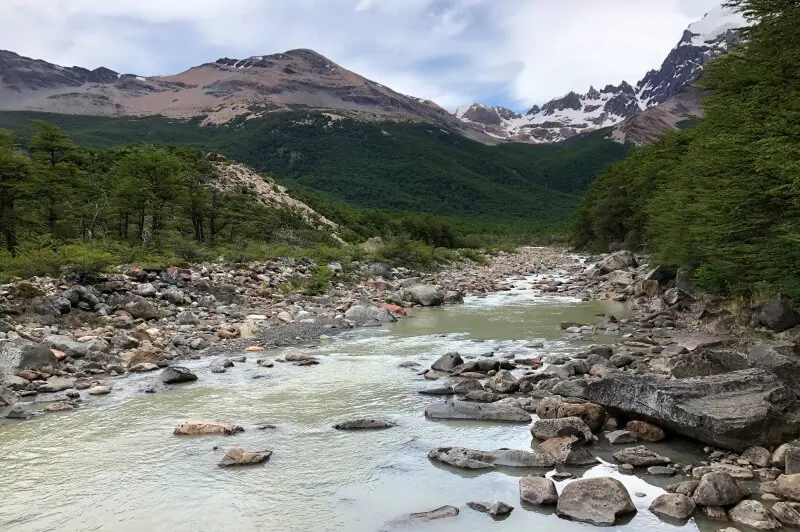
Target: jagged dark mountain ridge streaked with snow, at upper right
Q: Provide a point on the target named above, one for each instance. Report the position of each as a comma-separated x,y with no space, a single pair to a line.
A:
575,113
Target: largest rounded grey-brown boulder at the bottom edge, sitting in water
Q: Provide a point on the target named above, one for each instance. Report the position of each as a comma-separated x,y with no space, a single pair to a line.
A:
598,501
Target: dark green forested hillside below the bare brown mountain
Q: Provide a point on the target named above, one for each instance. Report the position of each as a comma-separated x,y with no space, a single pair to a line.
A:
414,167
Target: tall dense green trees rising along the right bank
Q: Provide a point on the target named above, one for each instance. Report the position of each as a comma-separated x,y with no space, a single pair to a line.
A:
721,199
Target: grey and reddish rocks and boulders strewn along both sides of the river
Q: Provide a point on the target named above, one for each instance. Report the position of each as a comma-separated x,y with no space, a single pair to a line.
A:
674,367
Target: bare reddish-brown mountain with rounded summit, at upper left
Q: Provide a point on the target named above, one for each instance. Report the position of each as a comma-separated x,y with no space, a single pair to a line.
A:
219,92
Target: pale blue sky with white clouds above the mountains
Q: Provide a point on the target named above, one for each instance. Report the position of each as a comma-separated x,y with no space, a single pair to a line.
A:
500,52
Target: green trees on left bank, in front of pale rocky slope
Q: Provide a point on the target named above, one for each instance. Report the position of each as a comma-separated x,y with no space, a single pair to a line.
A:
54,192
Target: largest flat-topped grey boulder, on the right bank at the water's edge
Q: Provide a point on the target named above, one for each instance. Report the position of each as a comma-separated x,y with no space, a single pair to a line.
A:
734,410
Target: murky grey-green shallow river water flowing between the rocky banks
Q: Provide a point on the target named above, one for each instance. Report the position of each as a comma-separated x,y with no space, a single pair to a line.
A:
114,465
